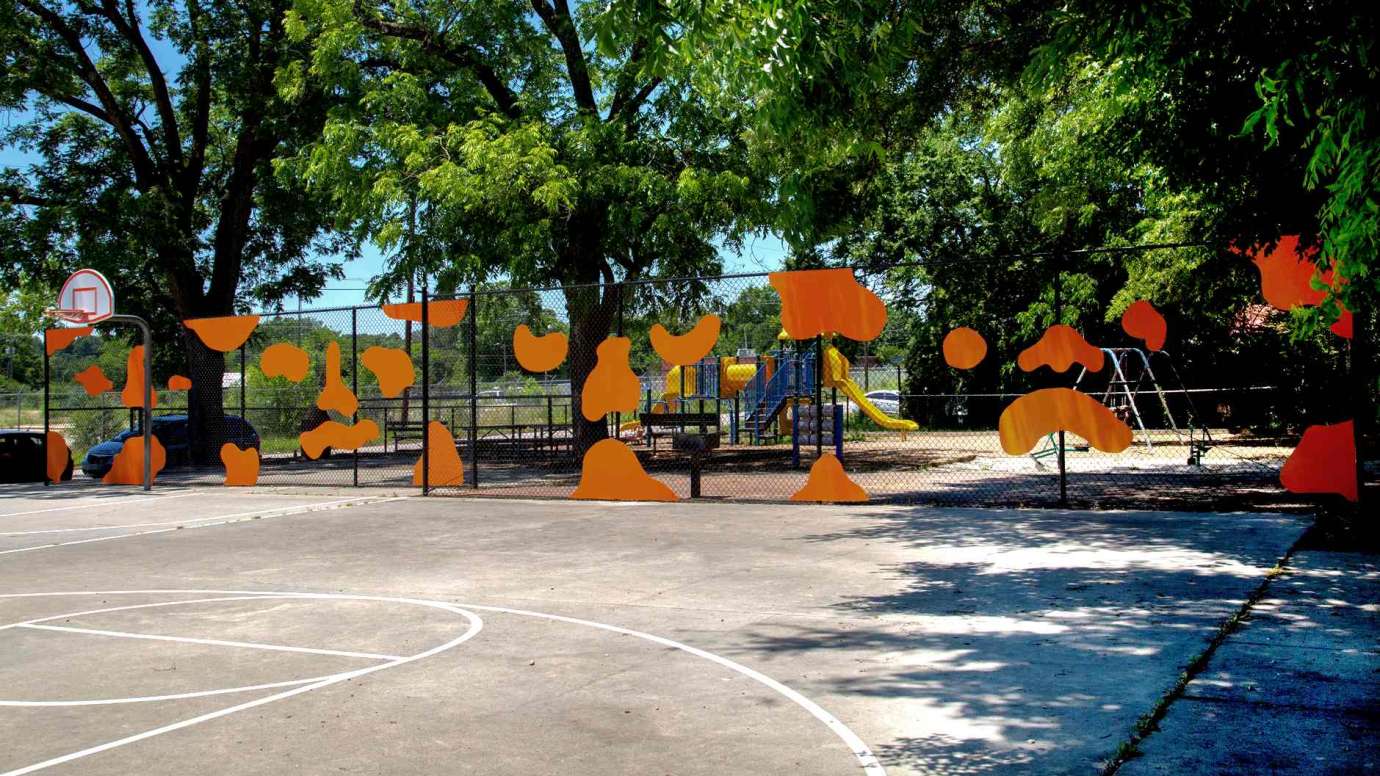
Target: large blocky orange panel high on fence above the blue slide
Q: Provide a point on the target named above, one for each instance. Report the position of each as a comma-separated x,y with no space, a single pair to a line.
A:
827,302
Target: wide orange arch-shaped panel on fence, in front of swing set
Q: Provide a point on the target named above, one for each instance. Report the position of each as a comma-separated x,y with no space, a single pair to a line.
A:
1040,414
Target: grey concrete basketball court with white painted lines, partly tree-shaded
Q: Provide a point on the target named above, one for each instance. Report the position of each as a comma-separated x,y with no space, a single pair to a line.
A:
256,632
